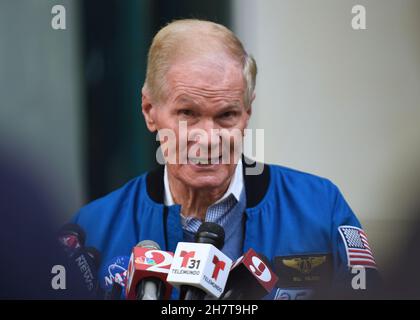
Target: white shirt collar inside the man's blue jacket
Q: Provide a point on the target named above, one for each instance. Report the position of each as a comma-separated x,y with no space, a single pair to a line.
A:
235,187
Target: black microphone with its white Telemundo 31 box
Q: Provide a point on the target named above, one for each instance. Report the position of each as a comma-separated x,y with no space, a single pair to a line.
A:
200,268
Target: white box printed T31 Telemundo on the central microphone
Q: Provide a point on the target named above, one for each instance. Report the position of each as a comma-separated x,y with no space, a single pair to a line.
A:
200,265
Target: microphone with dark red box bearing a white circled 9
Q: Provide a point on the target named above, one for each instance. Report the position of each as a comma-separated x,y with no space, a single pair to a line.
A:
251,278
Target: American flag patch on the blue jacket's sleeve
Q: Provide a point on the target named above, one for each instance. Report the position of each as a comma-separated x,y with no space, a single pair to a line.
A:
357,247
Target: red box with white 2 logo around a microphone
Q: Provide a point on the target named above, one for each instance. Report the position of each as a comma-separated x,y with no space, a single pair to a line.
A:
151,263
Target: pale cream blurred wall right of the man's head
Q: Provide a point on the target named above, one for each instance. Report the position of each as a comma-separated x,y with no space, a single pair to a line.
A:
341,103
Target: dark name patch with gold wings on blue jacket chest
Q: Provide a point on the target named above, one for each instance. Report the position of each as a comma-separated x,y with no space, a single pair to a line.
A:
303,270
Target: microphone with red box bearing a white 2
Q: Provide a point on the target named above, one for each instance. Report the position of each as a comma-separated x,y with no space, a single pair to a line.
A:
147,272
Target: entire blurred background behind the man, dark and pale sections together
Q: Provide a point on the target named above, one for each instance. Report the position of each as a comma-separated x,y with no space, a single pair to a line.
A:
333,101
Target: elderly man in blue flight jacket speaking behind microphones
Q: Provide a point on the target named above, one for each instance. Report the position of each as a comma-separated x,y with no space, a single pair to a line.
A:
199,75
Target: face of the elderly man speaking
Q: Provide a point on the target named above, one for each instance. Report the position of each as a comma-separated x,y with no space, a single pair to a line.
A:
205,93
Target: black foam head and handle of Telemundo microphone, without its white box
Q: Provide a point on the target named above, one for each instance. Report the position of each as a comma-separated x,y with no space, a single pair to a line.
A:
210,233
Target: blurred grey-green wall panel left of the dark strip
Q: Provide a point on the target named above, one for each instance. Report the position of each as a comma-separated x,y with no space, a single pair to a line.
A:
42,99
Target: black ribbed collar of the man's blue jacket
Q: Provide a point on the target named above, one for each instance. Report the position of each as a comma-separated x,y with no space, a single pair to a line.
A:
255,185
